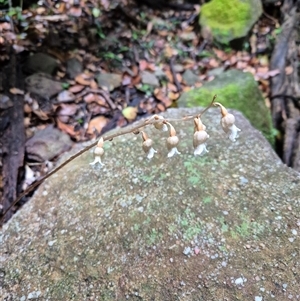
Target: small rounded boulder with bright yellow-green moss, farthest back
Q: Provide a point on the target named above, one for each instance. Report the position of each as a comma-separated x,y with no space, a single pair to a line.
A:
229,20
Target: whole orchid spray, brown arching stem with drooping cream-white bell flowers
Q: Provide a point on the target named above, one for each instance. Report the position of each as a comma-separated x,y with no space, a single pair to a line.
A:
160,123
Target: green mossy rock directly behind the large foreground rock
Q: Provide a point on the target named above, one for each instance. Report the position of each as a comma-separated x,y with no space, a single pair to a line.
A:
237,90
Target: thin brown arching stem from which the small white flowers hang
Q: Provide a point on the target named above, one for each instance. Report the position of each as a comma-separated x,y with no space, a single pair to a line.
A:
132,129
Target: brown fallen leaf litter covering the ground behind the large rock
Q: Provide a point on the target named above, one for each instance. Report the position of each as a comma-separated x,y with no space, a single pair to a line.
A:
131,61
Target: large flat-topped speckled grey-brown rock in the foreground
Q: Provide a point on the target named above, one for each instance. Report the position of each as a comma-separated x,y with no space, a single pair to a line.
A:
224,226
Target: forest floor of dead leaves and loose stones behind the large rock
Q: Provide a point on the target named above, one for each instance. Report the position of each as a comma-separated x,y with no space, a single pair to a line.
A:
108,63
